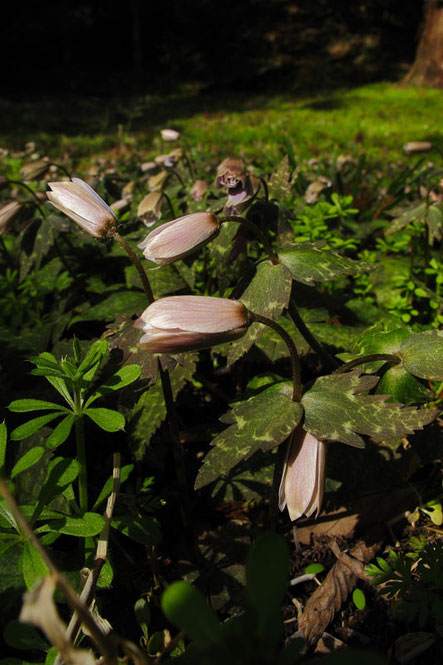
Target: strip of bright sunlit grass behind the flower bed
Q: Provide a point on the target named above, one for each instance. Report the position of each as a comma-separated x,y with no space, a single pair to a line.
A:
375,119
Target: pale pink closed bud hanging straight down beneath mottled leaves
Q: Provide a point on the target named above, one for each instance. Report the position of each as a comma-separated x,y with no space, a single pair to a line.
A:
301,486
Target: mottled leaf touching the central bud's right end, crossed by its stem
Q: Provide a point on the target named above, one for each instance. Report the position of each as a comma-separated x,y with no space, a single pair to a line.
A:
267,294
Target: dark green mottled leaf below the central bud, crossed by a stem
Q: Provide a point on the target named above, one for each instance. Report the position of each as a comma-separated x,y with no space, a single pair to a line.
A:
150,410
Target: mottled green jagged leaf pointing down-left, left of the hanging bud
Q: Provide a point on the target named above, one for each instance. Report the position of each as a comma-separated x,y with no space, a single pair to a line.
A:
259,423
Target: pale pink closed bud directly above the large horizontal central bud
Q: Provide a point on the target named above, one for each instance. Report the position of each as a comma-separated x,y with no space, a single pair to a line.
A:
180,237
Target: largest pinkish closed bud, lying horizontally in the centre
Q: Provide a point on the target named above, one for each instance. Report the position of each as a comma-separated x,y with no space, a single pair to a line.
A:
188,323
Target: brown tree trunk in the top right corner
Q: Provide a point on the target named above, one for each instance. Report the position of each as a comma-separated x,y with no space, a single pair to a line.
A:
427,69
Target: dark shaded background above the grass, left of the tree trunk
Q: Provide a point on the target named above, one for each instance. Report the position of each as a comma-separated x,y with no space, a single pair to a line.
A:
106,47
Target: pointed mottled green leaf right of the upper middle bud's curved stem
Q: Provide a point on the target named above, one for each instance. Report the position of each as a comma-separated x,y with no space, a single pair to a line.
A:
309,263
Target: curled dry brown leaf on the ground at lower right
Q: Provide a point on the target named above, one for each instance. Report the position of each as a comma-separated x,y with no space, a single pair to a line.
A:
329,597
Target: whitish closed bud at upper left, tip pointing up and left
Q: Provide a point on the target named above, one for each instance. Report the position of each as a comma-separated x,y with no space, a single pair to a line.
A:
78,201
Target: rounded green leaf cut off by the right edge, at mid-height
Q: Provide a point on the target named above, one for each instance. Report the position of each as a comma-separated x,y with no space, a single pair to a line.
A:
422,354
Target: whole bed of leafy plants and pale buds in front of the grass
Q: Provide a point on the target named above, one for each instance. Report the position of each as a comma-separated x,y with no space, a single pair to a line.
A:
201,348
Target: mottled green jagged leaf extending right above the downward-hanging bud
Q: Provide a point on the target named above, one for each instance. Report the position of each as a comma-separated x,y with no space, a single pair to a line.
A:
336,409
